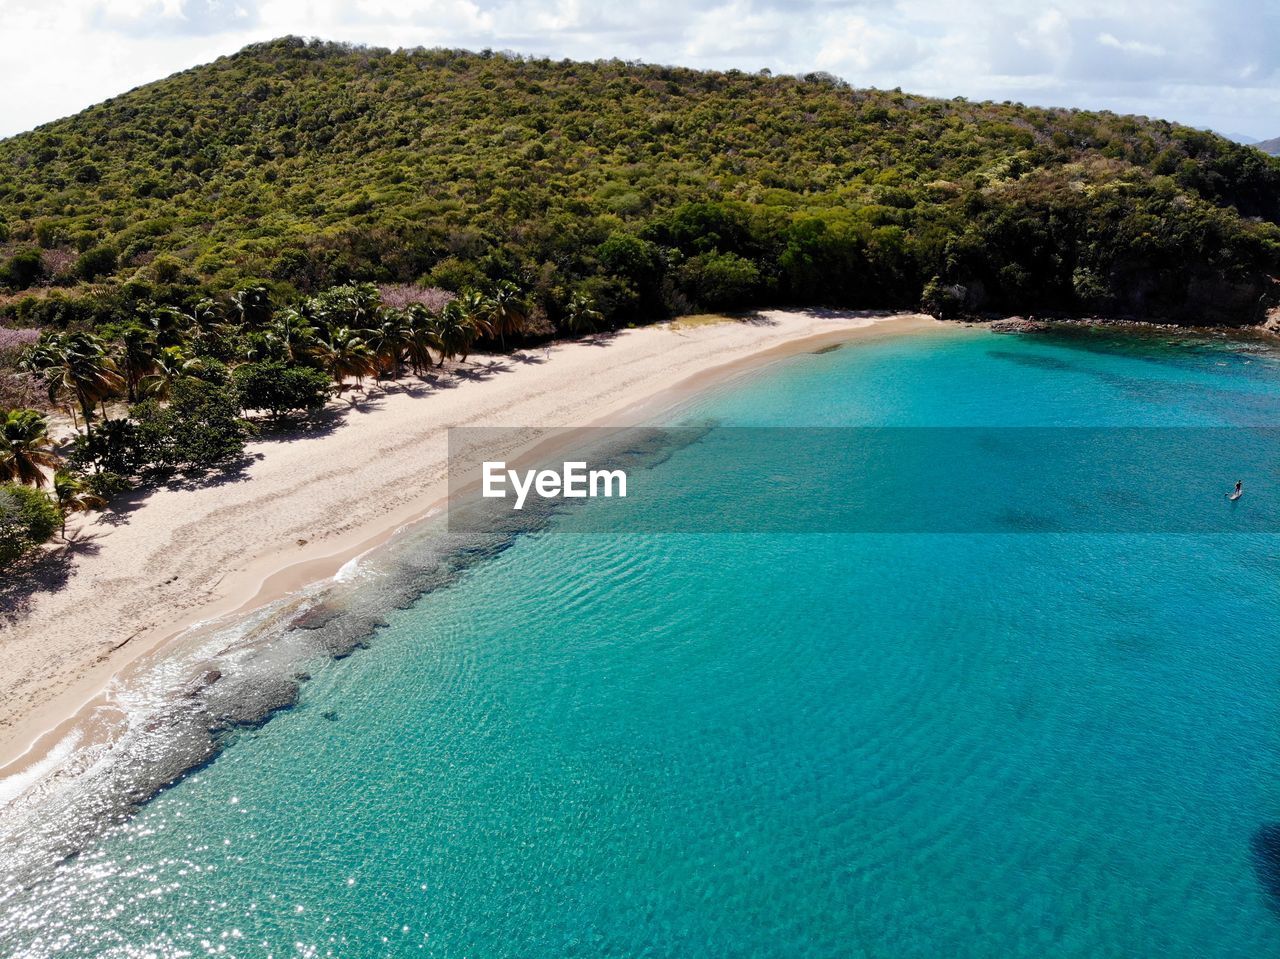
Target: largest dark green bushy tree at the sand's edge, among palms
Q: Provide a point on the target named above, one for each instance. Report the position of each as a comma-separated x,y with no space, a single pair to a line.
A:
200,430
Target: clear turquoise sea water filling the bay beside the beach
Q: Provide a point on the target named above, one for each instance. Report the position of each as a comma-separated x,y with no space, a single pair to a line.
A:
769,746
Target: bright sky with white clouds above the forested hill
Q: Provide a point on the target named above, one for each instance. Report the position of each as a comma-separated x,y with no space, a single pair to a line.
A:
1210,63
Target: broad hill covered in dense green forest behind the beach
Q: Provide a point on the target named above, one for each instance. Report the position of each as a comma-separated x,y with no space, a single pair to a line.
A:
650,190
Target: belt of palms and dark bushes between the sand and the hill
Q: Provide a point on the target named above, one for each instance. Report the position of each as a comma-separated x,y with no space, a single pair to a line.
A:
189,382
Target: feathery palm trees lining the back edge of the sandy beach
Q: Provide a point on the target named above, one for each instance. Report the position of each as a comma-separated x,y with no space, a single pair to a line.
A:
346,332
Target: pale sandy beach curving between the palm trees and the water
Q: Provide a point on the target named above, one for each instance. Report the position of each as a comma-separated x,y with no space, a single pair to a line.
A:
307,504
